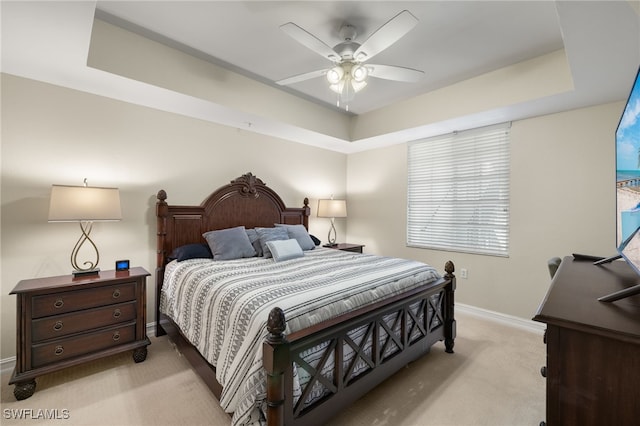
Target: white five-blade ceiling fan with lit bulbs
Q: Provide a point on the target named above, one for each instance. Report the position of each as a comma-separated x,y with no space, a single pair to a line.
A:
349,71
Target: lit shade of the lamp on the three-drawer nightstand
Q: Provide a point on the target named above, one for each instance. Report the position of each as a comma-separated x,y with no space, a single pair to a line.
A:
84,203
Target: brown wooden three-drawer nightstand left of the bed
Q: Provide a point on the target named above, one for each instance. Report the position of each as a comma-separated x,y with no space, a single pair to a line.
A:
64,321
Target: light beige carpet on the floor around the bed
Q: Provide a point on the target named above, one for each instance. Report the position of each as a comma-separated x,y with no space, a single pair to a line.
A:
492,379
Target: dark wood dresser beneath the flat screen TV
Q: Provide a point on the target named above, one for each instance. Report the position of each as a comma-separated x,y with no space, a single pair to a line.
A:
593,347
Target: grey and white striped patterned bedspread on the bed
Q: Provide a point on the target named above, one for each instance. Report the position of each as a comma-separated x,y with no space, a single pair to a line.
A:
222,307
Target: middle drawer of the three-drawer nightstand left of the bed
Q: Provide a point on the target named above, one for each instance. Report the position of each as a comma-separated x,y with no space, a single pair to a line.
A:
65,324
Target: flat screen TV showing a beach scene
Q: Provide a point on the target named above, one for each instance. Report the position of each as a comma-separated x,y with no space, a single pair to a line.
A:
628,187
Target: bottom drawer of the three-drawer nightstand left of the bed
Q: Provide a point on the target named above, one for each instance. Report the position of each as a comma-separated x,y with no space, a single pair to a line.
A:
70,347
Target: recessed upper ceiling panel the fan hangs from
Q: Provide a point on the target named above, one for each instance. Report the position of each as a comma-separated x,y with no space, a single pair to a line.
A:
453,41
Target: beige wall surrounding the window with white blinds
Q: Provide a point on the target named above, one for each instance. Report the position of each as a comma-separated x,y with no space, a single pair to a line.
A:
562,202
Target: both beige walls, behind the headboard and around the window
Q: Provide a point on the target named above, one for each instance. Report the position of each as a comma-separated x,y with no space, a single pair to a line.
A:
562,192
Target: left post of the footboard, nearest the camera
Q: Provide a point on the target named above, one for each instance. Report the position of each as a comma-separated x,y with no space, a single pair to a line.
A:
275,362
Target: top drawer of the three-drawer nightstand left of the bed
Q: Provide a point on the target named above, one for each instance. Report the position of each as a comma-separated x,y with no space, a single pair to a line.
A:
69,301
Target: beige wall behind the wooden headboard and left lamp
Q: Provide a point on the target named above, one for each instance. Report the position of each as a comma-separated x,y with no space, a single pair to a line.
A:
55,135
